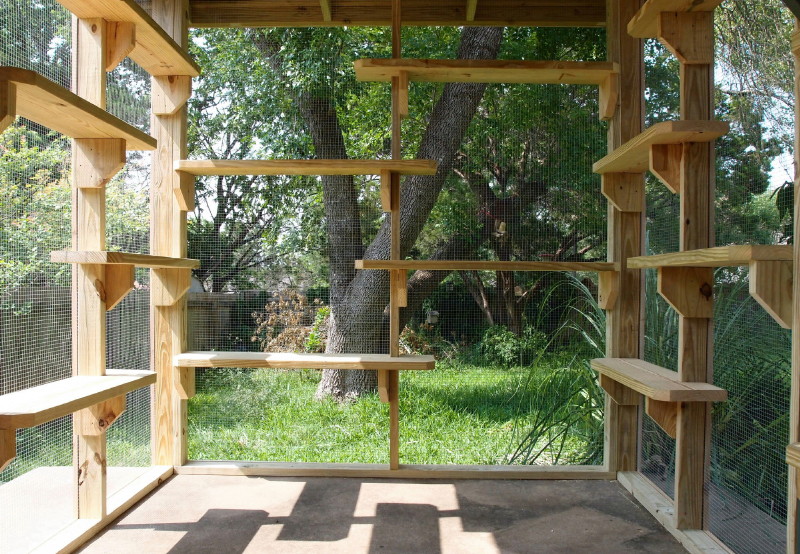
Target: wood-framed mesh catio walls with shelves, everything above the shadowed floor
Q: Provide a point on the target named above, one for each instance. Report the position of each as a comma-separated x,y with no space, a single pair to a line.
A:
457,239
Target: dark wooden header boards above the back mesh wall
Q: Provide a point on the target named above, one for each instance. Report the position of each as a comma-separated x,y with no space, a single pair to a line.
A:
308,13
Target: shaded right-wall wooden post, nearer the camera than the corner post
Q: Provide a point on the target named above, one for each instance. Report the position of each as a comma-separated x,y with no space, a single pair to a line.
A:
695,338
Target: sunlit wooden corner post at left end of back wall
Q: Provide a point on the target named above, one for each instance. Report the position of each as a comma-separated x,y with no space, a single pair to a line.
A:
168,238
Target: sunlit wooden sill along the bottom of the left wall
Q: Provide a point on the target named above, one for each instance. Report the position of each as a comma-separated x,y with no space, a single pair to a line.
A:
80,531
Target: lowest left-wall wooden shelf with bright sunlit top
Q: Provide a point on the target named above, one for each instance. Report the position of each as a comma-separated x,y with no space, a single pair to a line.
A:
37,405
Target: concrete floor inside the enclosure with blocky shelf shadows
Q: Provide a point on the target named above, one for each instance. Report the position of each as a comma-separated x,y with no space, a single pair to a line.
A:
223,514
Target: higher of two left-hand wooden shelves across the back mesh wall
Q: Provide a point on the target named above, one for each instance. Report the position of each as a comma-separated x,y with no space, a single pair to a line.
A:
305,167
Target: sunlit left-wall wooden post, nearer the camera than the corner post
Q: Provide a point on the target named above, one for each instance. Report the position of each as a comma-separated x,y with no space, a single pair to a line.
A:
88,302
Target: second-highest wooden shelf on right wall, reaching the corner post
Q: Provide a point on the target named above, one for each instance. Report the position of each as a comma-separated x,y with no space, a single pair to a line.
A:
634,155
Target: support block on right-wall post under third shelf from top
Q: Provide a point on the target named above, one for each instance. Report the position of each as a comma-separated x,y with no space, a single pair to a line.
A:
688,289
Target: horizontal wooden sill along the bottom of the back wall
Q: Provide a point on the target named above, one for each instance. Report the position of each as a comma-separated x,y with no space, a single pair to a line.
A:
382,471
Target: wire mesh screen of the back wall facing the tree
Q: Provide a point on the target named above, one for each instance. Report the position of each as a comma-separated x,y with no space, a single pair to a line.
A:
515,183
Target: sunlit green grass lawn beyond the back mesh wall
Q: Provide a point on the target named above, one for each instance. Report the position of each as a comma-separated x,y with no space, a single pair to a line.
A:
457,414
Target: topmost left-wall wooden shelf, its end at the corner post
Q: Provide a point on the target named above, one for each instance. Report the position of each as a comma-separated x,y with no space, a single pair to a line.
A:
155,51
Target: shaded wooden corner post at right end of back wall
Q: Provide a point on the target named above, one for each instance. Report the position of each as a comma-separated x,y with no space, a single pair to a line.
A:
624,333
